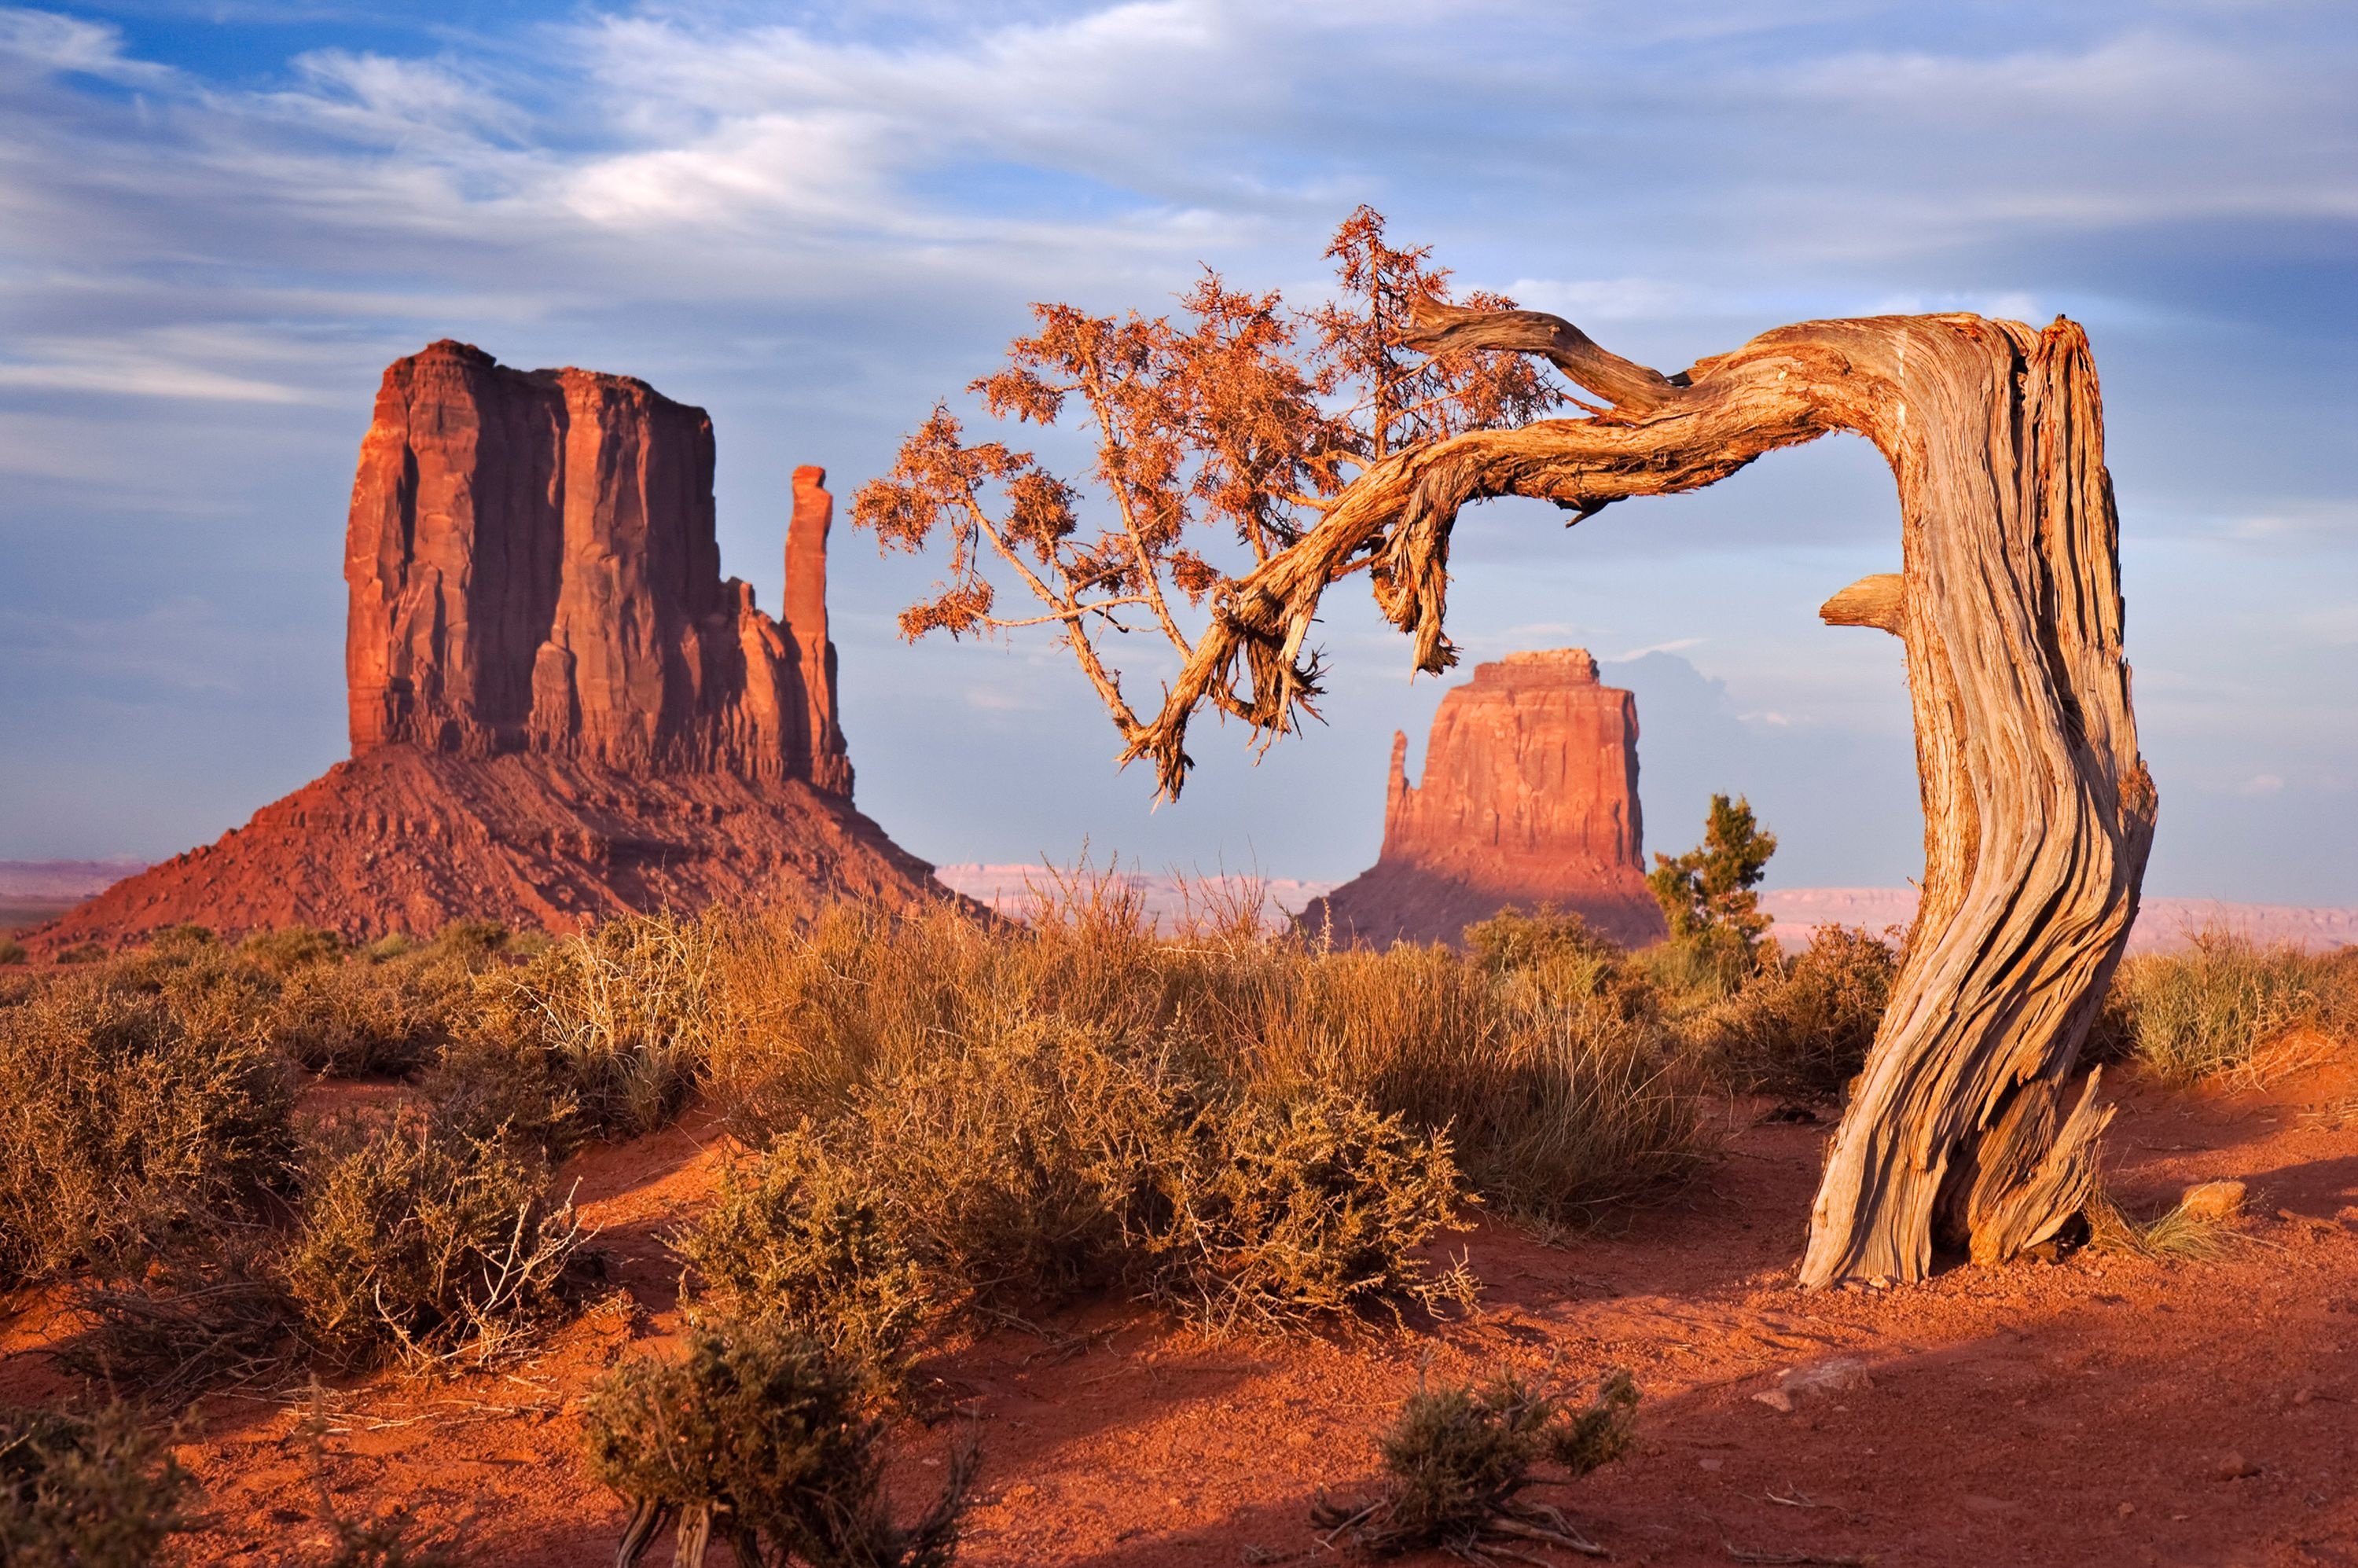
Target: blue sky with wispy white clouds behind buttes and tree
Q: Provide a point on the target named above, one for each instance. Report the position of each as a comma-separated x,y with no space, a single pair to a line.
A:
220,223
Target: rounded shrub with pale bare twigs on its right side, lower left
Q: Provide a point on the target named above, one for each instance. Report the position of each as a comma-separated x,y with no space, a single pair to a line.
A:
426,1244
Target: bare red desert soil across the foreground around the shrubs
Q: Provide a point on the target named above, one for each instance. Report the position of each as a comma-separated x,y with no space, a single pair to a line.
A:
2093,1411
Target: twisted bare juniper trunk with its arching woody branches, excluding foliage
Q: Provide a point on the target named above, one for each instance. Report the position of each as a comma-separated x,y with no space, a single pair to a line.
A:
2038,810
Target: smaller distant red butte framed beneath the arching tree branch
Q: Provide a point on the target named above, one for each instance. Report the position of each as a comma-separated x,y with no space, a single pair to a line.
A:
1529,801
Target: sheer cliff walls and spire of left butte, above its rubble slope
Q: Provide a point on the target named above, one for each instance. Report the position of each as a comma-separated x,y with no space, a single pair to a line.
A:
534,569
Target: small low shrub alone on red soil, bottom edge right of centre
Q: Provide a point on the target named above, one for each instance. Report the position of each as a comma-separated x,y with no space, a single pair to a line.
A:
1458,1463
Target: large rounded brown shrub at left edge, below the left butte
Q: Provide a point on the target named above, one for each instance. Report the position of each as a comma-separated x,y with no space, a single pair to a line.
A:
124,1124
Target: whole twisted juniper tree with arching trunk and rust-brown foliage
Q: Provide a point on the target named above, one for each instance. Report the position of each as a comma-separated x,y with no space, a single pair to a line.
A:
1305,449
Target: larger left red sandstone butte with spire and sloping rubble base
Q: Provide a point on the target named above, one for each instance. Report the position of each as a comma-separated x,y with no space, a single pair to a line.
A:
560,709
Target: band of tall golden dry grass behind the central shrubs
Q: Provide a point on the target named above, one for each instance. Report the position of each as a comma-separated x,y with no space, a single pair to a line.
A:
1553,1079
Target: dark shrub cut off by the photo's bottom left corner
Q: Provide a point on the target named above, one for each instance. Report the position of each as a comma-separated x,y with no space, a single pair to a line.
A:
93,1491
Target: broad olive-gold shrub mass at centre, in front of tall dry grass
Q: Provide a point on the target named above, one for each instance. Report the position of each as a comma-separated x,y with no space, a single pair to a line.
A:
1020,1171
